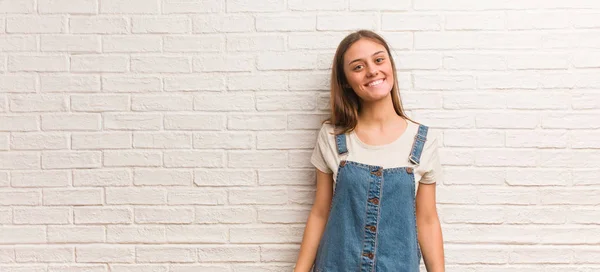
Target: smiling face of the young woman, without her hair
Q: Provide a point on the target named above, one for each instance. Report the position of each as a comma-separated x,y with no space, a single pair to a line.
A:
368,69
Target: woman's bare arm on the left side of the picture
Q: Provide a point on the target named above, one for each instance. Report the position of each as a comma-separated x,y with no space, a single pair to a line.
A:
315,225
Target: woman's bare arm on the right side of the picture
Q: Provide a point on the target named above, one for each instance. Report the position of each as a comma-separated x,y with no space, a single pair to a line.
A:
429,229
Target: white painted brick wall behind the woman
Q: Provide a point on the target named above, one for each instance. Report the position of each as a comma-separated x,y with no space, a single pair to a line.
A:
175,135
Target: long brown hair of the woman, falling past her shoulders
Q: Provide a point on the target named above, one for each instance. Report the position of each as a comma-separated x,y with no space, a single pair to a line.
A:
345,104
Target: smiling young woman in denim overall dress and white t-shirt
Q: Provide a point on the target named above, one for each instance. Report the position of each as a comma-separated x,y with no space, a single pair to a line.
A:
375,207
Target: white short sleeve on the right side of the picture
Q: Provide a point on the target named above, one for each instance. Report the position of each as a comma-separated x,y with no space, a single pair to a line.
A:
432,168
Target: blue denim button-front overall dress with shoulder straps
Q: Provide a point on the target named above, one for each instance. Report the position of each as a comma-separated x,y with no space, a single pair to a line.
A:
372,221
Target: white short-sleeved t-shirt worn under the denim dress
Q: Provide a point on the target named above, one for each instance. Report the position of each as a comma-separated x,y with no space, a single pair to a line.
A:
395,154
